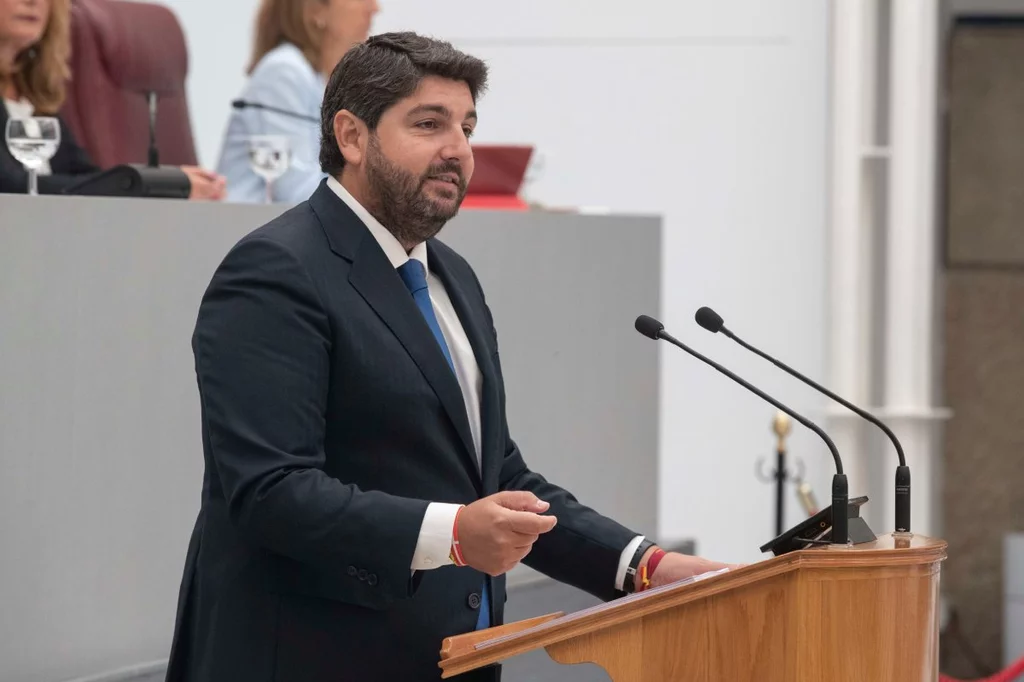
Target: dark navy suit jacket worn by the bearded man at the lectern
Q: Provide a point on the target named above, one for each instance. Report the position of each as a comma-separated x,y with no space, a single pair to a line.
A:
330,420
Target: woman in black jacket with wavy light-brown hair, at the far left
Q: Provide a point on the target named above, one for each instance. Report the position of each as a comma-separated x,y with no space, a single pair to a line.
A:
35,46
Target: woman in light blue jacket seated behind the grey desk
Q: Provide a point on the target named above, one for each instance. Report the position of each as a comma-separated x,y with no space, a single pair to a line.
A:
297,46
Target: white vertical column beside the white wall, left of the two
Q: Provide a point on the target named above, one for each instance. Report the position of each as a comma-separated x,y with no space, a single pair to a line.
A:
852,106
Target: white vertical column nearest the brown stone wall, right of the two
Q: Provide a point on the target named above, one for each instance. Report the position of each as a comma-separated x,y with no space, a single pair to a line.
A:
911,263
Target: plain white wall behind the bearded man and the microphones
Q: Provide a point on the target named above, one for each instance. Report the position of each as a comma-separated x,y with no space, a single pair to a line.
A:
713,114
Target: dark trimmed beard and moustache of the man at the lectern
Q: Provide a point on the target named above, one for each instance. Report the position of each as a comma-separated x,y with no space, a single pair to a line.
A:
399,202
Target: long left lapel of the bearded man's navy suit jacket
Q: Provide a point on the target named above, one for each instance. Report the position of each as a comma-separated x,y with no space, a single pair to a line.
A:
378,283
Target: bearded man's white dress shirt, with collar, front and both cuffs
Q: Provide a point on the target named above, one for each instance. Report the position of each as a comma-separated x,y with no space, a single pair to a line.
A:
435,542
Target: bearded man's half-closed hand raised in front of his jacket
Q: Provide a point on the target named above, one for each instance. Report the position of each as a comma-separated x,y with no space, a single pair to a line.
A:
496,533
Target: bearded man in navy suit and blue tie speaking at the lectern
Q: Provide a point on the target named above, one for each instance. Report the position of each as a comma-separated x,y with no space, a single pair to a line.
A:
363,498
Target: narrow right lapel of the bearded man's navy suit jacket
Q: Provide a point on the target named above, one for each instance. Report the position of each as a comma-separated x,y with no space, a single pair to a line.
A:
474,322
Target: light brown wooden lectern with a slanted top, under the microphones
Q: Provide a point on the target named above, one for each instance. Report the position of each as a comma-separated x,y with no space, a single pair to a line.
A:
854,614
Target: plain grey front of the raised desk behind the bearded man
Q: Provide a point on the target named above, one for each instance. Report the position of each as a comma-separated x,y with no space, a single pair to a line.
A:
101,458
